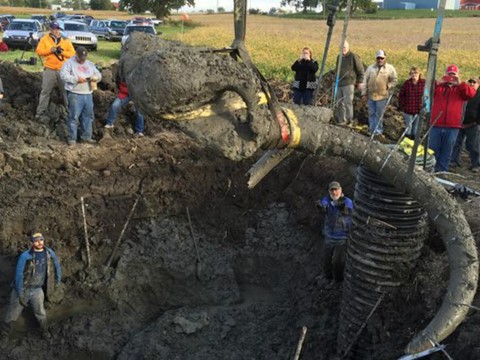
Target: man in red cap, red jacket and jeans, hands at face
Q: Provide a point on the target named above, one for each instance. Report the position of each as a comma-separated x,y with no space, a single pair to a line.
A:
446,119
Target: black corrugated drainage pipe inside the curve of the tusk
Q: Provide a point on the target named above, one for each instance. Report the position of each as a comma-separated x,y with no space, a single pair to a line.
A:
389,229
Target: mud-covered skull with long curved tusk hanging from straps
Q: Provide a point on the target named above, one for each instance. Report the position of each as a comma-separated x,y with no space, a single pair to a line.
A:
239,136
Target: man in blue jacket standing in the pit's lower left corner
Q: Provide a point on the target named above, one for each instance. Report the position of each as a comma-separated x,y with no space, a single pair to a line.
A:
38,269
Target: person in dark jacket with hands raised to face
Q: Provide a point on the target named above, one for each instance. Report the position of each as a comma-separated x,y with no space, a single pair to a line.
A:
305,81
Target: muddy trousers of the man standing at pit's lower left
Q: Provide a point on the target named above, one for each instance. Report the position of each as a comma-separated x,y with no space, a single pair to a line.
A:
35,298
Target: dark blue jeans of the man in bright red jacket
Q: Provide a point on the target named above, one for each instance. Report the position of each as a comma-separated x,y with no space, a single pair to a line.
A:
442,141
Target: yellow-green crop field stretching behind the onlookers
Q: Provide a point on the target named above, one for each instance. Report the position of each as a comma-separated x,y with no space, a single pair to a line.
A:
275,43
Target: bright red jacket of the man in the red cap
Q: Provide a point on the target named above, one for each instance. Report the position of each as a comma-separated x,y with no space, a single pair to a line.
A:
448,104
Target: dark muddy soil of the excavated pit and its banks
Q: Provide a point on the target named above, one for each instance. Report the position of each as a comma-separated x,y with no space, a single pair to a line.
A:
206,269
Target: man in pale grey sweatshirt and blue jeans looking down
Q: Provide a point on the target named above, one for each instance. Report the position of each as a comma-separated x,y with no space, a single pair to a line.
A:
80,77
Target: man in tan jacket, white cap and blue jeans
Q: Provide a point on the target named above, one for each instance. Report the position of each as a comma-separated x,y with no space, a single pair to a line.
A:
379,83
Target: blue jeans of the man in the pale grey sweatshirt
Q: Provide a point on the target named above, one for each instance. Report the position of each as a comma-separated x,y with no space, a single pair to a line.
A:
80,110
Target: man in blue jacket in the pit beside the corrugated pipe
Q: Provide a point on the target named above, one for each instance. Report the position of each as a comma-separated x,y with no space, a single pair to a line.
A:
337,223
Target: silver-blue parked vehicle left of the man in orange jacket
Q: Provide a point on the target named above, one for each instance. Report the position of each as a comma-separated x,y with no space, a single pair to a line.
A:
22,33
